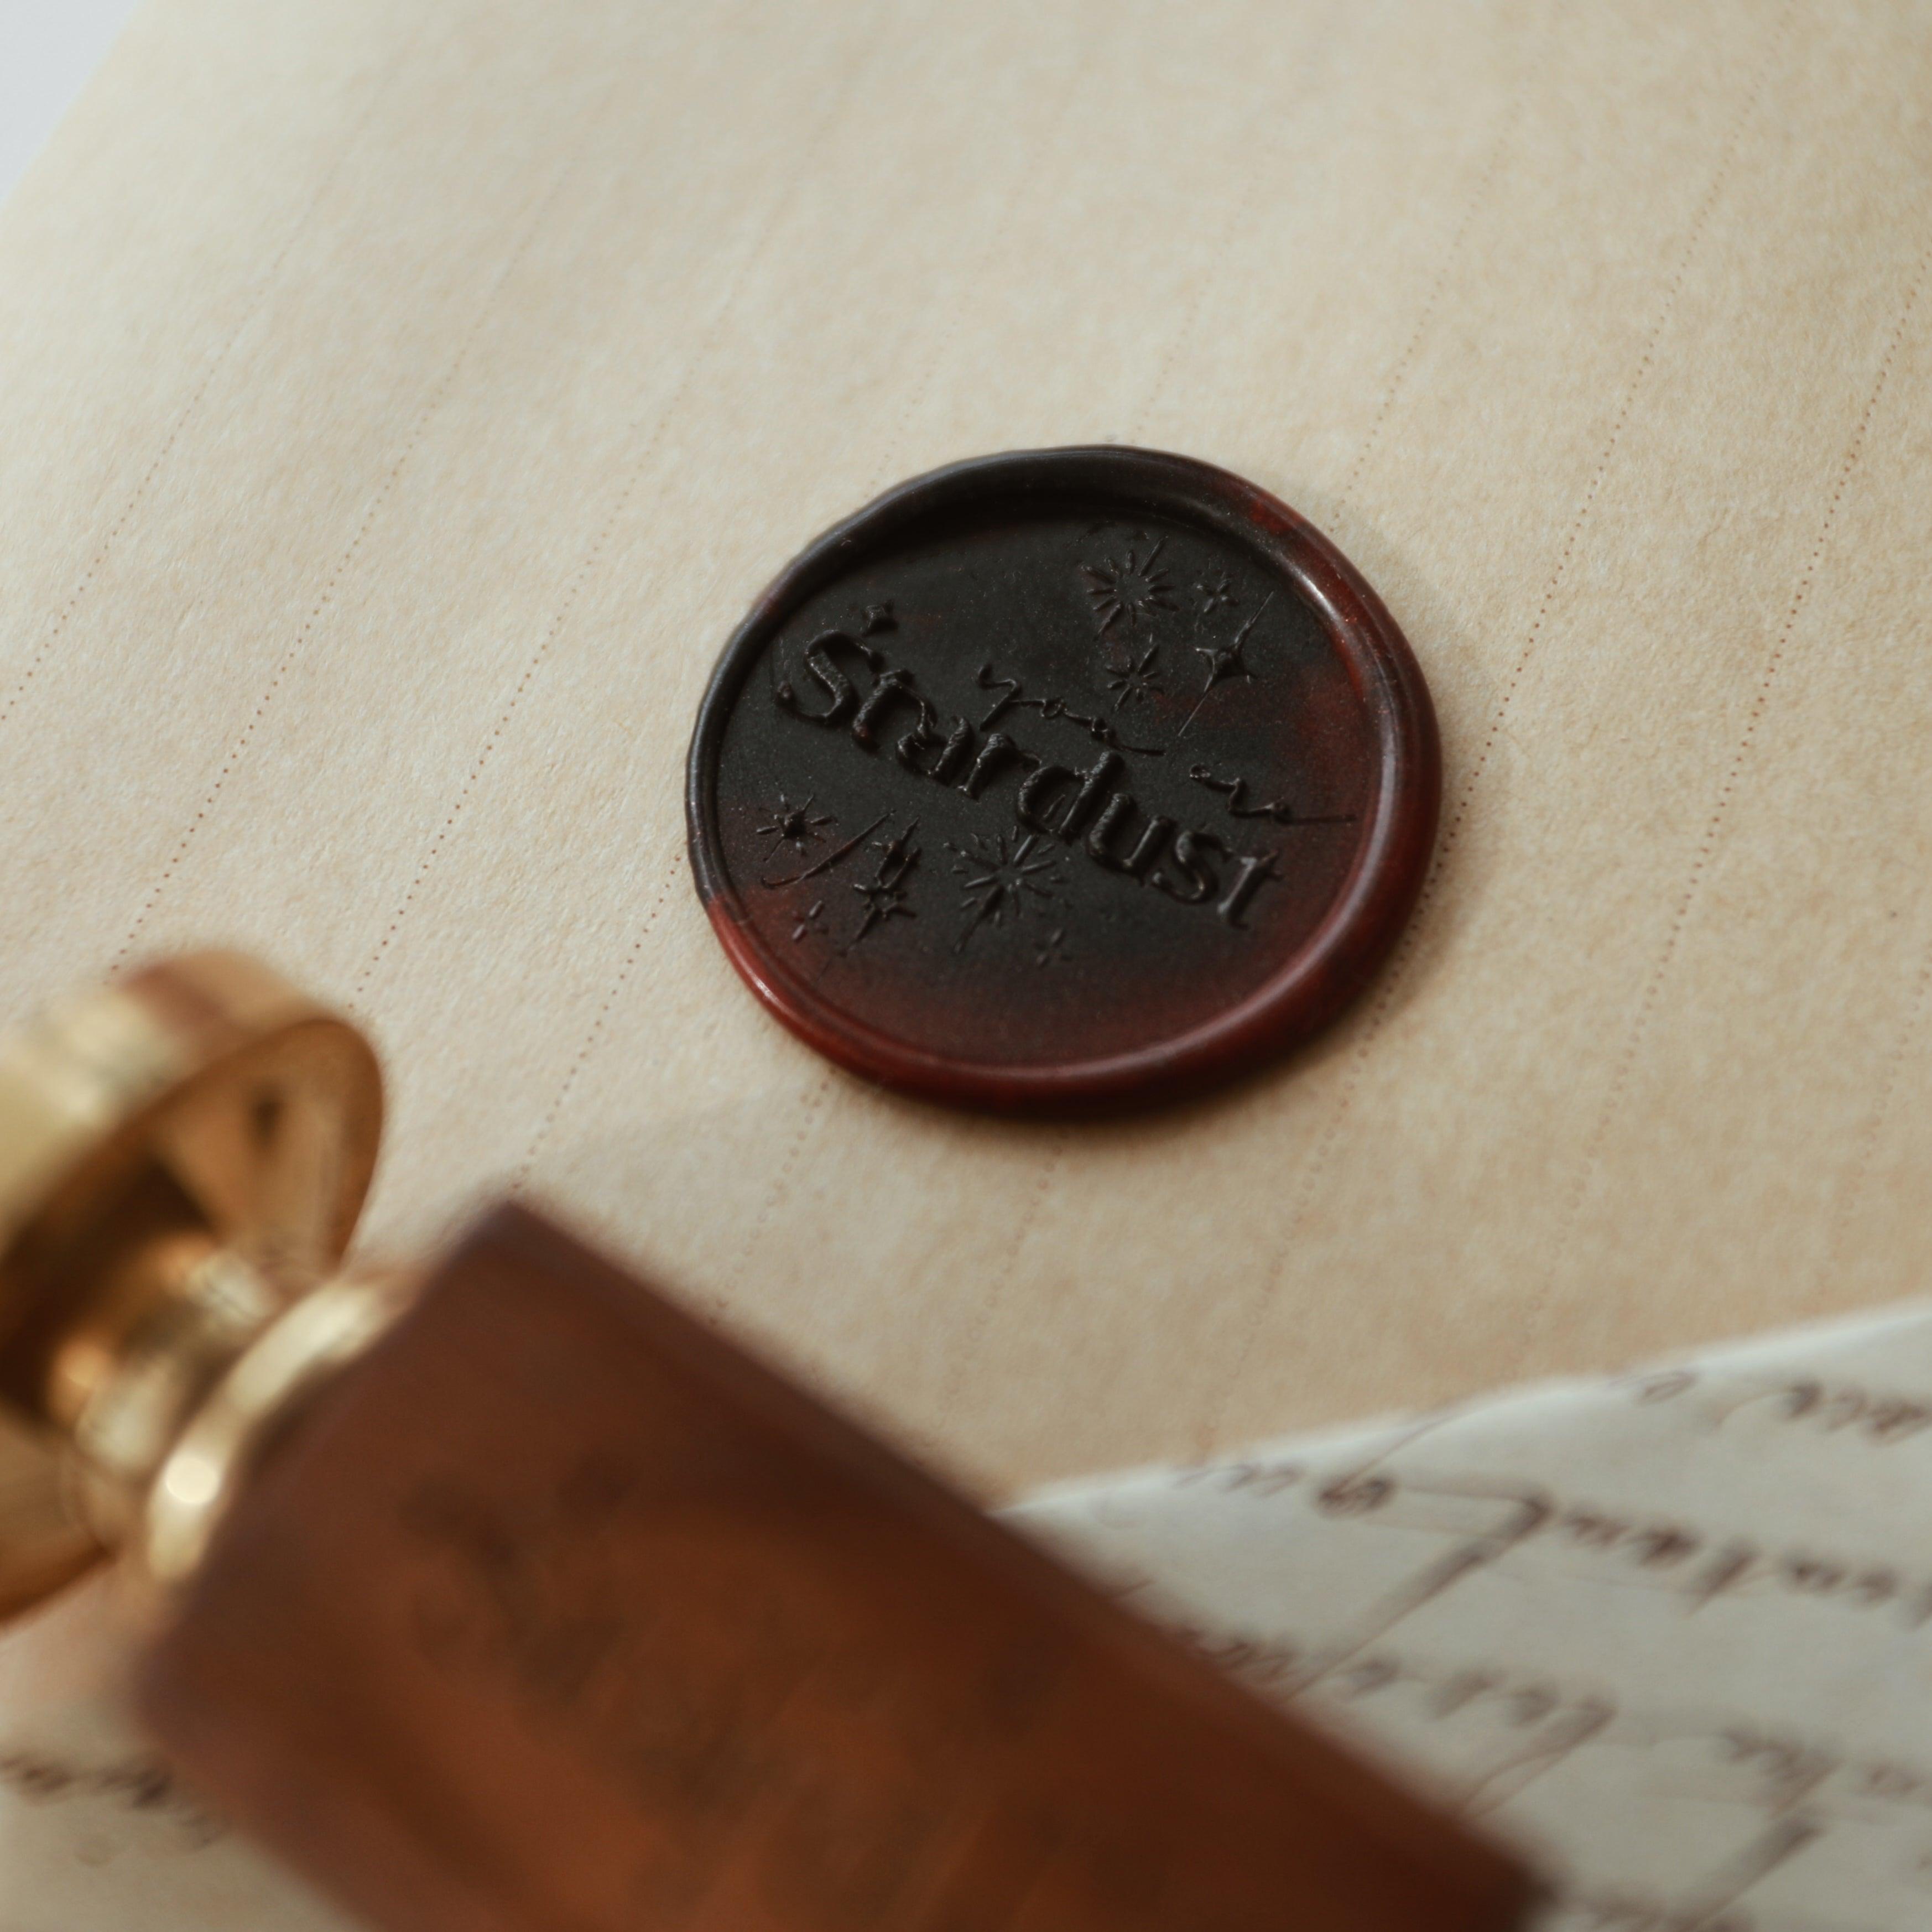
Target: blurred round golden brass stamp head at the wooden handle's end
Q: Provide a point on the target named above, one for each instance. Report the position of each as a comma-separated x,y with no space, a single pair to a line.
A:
183,1154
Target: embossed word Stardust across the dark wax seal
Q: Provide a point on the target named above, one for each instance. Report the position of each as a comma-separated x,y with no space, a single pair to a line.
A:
1060,801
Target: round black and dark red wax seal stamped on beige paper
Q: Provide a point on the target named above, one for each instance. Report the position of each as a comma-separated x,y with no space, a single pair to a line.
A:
1064,781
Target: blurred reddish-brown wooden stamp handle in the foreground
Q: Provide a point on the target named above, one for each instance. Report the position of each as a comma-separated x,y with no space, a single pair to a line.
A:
559,1610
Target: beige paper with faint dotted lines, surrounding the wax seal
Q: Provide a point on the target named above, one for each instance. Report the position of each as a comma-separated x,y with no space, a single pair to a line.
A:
407,397
